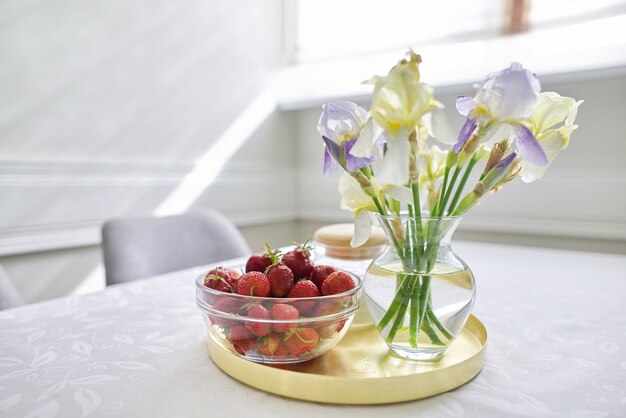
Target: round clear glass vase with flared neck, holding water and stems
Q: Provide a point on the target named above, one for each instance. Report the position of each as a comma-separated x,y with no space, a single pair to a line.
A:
418,291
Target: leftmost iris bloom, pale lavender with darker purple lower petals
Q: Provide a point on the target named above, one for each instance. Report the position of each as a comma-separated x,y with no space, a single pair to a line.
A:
340,125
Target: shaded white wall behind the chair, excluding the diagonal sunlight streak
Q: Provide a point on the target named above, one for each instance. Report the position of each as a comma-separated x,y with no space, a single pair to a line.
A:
104,108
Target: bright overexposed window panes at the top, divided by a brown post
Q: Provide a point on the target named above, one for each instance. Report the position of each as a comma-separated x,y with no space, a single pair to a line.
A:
327,29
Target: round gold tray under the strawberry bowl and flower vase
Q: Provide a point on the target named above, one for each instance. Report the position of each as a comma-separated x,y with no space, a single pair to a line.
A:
361,370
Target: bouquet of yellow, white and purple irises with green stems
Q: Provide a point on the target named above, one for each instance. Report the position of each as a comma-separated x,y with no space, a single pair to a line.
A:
403,157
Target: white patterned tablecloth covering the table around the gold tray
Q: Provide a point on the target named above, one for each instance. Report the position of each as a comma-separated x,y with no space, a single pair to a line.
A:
557,348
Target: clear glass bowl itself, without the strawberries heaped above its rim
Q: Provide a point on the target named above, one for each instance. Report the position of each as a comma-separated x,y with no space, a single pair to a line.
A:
322,321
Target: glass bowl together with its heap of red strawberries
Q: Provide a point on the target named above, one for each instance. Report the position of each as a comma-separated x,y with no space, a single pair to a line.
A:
278,315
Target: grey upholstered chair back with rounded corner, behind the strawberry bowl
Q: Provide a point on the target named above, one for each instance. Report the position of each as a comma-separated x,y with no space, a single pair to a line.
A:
140,247
